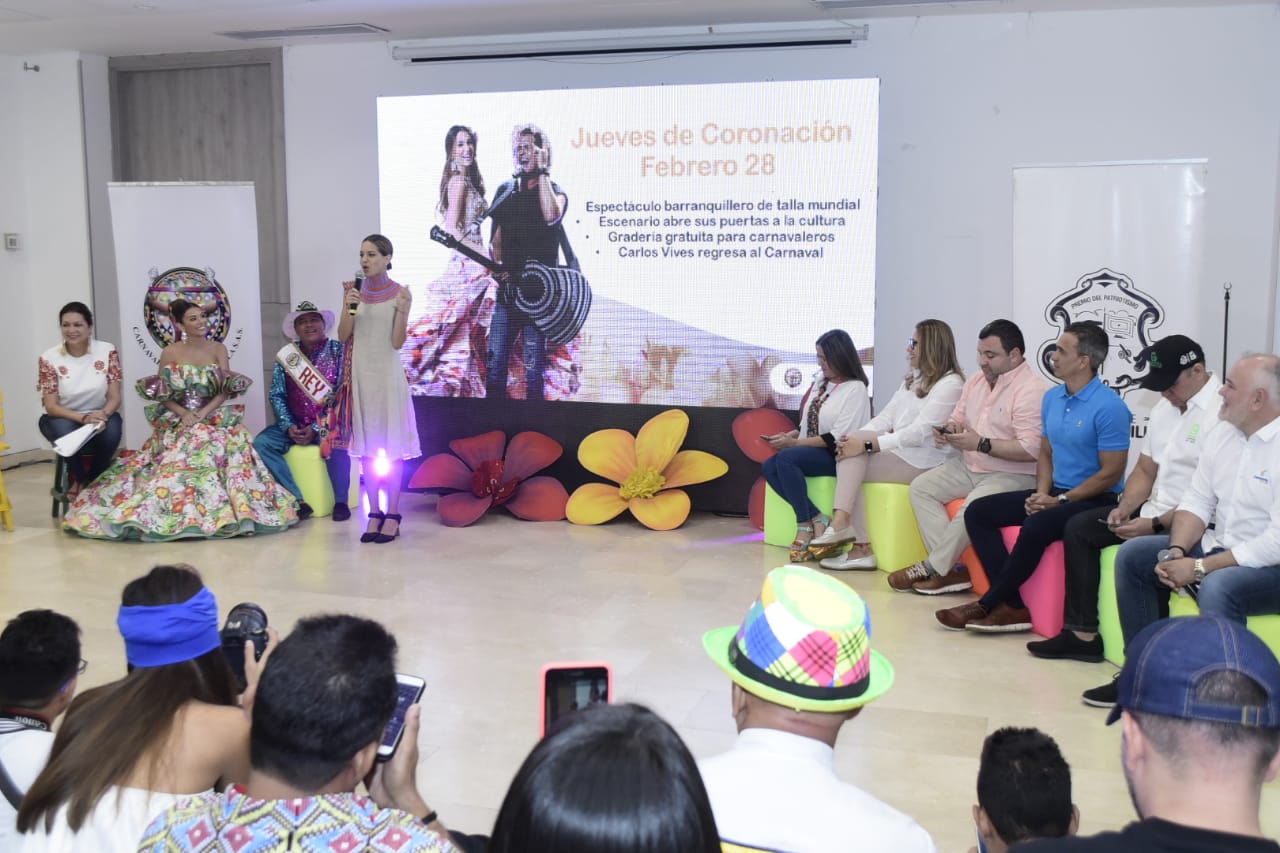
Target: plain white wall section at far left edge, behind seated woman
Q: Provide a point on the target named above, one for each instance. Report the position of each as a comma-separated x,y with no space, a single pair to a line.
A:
43,198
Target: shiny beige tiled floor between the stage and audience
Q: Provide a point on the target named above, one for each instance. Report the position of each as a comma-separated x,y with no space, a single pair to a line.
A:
479,610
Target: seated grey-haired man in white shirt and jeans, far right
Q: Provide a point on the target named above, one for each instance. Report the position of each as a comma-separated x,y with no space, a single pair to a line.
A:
1233,569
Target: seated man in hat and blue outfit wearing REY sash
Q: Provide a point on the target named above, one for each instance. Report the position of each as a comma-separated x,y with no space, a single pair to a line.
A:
307,375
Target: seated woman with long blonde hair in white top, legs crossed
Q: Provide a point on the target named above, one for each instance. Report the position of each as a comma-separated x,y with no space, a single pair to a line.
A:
895,446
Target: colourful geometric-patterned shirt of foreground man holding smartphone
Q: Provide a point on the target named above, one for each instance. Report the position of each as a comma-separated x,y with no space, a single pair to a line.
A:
235,823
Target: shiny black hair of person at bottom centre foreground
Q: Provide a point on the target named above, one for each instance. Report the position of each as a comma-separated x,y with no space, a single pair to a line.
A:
615,779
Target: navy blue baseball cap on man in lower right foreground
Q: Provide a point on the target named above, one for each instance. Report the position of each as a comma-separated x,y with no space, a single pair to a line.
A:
1165,663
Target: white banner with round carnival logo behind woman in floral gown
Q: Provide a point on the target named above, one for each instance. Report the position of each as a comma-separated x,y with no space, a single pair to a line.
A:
196,241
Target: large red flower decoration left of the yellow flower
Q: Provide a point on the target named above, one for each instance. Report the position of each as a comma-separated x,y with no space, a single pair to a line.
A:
482,477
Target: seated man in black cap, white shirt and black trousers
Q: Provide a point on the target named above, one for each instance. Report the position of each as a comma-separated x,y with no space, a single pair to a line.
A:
1180,423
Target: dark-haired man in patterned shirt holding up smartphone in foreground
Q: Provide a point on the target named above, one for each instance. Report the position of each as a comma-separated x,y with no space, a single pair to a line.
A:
318,718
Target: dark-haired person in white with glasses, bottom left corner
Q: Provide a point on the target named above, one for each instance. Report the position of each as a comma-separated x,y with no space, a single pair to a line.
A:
40,664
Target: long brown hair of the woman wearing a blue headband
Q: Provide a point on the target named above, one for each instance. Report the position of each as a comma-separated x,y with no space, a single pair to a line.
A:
109,729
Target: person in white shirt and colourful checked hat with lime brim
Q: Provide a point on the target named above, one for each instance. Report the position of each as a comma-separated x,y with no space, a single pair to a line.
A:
802,667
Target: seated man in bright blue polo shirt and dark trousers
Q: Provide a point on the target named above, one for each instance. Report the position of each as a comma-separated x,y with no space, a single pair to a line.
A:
1081,467
